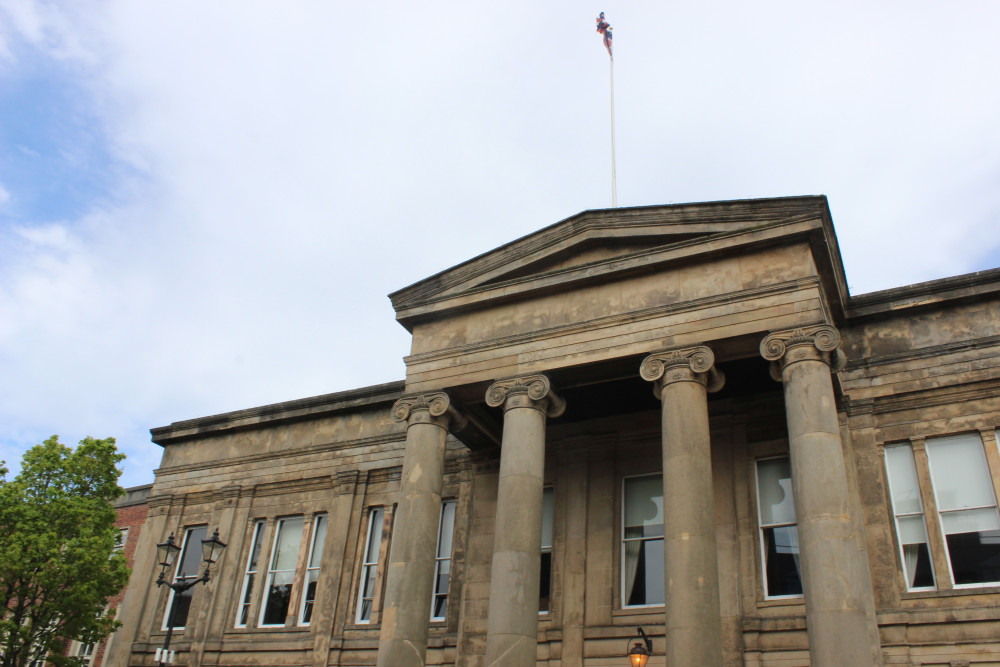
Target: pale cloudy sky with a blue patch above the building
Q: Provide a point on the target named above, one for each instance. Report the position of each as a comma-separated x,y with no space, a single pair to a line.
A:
203,205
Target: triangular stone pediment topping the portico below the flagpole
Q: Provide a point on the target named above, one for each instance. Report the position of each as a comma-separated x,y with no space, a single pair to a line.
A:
592,244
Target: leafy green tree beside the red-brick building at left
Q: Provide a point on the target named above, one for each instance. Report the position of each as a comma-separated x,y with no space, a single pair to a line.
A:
58,563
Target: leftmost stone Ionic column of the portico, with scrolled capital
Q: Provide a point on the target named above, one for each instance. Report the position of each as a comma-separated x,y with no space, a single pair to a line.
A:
406,610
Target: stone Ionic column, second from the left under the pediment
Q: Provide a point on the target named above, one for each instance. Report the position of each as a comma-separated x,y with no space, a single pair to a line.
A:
512,629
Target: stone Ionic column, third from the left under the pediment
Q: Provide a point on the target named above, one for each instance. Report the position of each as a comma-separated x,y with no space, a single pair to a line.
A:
683,378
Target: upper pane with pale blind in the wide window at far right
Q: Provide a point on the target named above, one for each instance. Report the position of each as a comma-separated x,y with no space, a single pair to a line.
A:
960,473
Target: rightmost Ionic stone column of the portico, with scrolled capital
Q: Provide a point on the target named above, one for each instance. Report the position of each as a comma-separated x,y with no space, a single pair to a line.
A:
835,577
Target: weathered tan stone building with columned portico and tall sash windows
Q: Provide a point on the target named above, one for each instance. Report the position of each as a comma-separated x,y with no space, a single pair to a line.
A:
670,417
